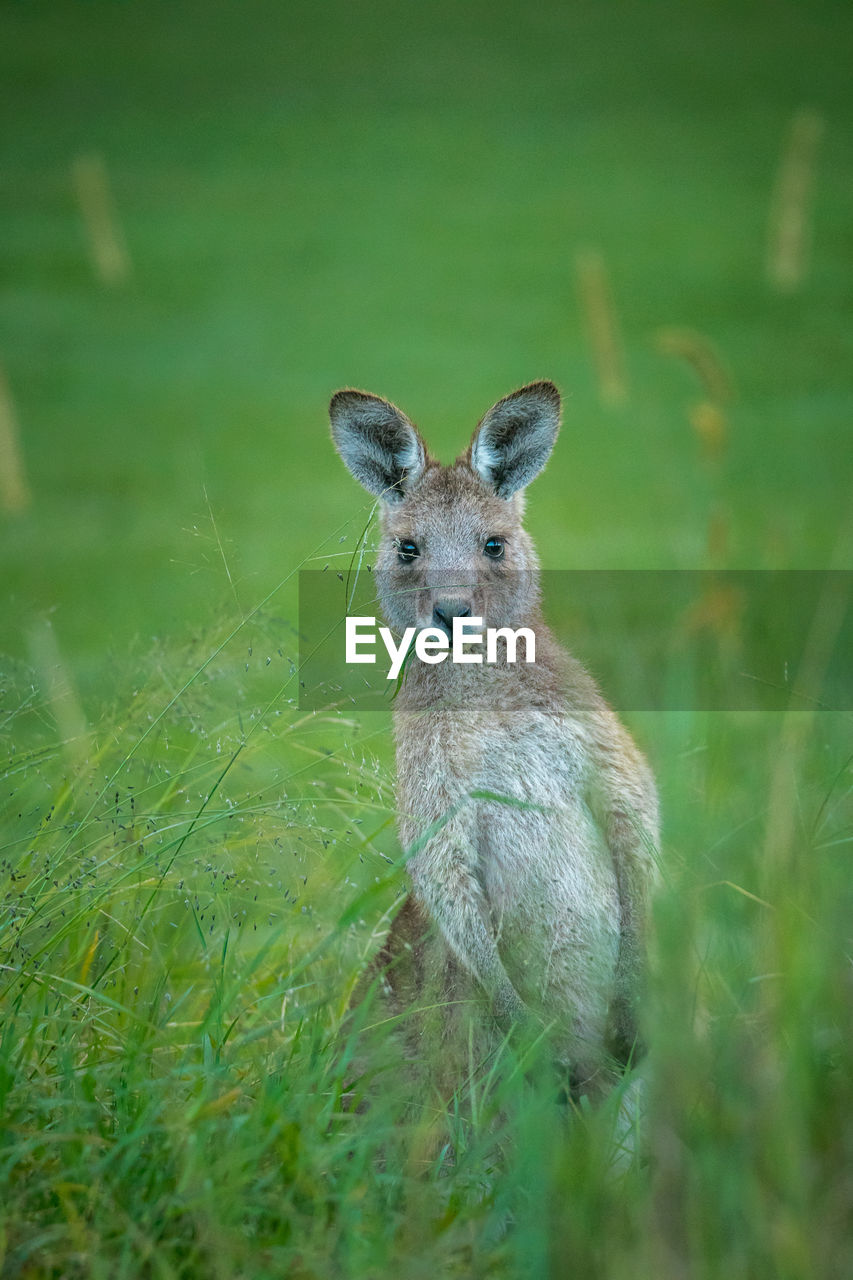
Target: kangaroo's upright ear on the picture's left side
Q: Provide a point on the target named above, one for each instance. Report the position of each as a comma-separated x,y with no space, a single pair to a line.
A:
378,444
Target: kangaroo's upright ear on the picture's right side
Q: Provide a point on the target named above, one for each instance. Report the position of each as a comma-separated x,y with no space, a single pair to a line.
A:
516,438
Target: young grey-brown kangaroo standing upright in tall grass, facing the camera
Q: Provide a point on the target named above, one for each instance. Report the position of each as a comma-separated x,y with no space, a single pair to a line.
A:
530,812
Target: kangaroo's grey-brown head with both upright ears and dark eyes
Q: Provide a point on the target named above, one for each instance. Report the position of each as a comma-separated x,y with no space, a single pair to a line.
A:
453,542
